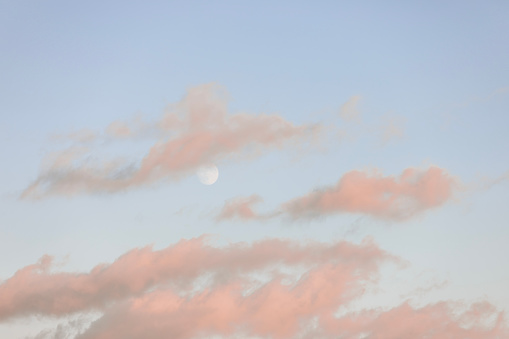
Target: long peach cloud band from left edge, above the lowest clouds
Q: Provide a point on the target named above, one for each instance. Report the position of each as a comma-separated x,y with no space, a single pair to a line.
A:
36,290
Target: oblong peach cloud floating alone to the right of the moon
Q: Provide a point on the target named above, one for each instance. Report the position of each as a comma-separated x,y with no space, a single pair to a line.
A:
388,197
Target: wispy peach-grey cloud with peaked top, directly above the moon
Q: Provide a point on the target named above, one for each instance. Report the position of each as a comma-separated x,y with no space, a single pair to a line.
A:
196,131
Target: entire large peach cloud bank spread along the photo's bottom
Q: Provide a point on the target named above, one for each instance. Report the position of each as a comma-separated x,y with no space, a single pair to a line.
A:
162,294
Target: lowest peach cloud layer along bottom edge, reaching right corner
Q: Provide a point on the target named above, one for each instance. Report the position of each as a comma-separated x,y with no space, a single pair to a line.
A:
276,310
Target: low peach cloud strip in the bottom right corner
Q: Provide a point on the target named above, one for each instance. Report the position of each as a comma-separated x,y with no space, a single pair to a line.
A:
435,321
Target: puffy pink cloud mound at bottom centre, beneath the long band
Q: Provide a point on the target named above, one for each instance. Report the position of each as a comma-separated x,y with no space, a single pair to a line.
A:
274,310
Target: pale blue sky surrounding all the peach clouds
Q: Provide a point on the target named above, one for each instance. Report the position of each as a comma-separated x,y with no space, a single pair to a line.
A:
438,67
